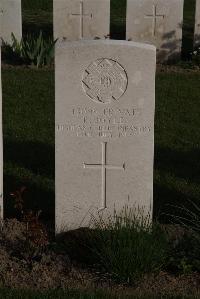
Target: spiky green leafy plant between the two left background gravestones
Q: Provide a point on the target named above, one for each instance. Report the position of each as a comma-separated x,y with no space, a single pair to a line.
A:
30,50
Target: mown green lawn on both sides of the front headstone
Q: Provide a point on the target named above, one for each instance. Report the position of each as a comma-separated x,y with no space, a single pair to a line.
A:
28,120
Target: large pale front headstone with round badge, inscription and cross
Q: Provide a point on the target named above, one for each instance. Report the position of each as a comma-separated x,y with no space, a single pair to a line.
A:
105,97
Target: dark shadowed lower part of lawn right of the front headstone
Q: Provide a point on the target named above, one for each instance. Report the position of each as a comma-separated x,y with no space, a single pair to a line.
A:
184,168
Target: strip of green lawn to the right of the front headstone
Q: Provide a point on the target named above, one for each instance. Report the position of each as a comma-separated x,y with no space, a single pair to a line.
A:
177,147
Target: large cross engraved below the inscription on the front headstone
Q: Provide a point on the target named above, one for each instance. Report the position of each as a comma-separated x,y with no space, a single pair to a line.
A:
103,166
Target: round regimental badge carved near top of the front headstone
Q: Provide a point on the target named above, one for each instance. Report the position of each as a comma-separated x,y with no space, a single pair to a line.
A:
105,81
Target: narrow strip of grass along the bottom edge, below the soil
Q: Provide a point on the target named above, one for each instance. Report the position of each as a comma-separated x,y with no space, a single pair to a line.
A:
21,294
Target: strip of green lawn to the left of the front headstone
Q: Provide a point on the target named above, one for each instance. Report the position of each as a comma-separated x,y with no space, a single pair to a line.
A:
28,112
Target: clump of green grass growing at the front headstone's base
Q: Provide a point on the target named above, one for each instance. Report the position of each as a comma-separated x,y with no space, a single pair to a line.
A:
128,245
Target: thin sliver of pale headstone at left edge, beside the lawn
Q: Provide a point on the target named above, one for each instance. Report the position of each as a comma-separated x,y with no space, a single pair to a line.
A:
1,148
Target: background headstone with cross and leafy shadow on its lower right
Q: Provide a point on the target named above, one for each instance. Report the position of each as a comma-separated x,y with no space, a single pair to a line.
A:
158,22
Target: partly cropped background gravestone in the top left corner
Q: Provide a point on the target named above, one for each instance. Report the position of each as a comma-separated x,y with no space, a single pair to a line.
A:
10,19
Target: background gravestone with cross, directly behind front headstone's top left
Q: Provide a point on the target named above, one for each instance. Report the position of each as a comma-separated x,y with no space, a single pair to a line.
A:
75,19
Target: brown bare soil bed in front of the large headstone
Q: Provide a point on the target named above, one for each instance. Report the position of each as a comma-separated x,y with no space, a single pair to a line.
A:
24,266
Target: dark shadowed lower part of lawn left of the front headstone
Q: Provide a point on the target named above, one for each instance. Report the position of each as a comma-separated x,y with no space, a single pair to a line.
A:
32,166
